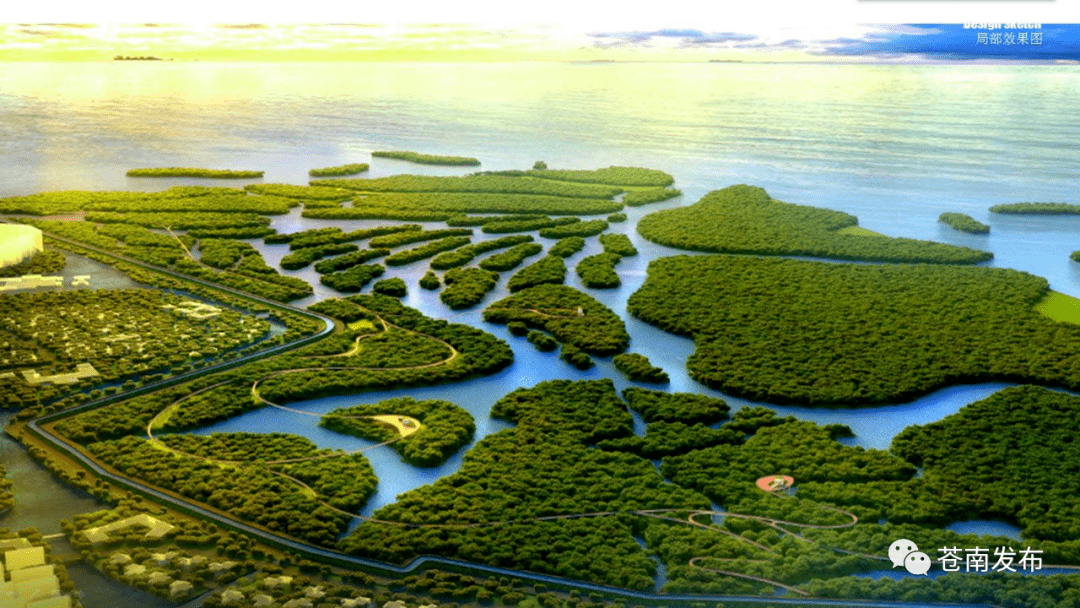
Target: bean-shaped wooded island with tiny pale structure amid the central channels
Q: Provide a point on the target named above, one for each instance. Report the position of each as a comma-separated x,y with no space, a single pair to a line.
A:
573,318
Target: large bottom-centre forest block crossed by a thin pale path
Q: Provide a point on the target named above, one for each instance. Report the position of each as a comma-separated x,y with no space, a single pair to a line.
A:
543,467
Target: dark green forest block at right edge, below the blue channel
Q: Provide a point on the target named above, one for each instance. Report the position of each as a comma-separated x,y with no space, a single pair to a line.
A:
968,462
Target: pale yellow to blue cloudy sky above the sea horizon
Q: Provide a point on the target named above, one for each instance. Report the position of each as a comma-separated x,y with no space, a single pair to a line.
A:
477,31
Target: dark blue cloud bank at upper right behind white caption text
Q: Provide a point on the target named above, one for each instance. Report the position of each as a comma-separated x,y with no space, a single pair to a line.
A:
953,43
